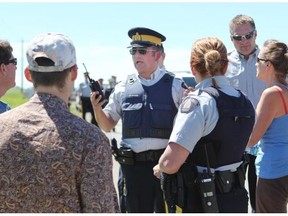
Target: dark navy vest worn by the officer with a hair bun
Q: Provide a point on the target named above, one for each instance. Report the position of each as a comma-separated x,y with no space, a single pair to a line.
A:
227,142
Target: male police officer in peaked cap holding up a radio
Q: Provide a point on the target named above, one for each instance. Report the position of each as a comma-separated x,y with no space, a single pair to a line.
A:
147,103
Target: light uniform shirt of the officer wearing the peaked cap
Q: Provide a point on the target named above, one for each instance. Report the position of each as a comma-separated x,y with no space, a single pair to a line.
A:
114,109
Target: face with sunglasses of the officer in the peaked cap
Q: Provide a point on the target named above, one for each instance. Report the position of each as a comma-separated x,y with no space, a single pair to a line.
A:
145,60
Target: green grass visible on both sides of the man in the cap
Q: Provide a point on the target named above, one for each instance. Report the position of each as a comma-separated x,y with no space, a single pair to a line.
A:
14,97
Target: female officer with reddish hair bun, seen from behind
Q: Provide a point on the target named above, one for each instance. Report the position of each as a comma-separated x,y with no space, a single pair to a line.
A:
209,137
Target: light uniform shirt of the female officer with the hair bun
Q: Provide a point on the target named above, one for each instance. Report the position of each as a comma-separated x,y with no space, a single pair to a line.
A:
198,114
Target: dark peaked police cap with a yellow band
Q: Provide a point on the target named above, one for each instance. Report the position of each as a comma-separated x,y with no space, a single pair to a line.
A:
145,37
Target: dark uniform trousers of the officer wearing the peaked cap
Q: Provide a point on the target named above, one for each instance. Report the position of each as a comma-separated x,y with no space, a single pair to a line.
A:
142,191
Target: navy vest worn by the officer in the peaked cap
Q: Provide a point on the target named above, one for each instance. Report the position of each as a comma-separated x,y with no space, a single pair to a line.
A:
148,111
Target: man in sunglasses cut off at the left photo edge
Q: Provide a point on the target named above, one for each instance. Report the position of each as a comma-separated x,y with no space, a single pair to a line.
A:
8,66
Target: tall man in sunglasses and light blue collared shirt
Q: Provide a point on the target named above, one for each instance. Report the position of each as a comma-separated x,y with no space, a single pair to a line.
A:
242,75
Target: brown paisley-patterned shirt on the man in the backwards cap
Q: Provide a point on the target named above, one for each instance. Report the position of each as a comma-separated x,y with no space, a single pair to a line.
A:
53,161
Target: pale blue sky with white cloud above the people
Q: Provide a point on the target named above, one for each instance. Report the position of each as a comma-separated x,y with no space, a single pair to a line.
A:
99,30
